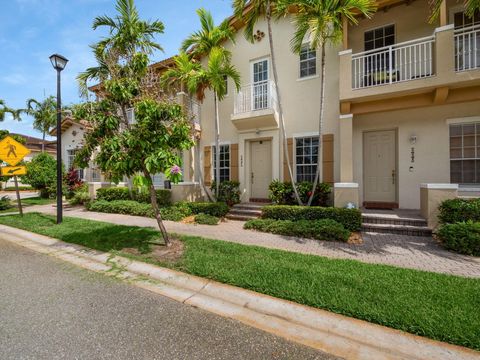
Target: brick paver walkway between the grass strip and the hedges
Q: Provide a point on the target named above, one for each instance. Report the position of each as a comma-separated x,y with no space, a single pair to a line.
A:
421,253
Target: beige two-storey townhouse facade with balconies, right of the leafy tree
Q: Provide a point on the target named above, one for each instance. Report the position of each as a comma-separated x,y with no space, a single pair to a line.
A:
402,108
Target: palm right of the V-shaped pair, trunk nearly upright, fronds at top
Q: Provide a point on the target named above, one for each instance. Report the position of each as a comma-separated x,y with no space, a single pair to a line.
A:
321,23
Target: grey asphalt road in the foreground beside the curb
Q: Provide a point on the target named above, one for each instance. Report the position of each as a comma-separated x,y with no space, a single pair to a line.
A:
53,310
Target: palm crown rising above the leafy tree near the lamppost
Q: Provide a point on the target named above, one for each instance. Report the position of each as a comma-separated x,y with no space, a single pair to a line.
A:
128,34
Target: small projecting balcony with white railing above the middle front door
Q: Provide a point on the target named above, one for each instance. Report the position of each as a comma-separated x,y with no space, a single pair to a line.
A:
255,107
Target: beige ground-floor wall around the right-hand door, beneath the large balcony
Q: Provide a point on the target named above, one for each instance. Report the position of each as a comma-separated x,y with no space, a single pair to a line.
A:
432,156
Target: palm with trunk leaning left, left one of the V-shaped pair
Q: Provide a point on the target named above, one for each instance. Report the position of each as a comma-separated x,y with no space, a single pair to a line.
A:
256,10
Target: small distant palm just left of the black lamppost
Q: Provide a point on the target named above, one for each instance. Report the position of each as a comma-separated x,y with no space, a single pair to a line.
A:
44,114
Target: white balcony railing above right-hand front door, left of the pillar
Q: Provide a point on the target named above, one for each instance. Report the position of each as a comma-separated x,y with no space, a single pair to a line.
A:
391,64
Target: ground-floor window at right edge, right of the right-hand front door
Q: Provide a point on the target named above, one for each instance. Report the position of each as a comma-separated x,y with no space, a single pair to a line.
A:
465,153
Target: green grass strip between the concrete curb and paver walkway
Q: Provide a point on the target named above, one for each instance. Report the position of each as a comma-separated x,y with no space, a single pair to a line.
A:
437,306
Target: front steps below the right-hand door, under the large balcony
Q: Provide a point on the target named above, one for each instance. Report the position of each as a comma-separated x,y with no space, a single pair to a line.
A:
400,224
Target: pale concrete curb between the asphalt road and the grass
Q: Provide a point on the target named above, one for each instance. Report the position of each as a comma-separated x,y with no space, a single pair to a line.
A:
335,334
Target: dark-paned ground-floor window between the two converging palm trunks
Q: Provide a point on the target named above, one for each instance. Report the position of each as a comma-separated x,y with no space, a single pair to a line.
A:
306,157
